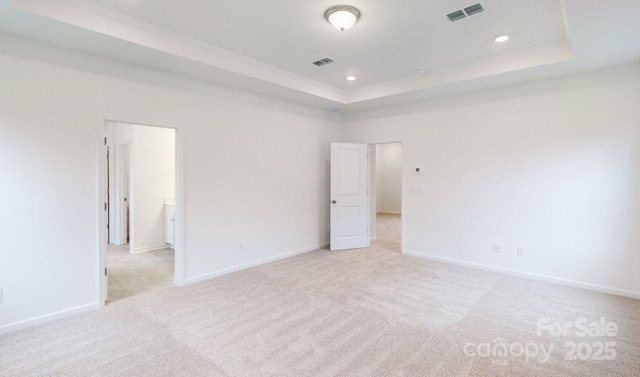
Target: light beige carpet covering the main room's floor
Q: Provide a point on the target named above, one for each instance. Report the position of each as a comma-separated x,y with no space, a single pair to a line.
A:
370,312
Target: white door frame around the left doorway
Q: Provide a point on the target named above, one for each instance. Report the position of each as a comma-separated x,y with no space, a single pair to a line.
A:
103,236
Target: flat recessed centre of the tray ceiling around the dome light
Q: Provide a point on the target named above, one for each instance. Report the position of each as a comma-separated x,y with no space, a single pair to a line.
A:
391,41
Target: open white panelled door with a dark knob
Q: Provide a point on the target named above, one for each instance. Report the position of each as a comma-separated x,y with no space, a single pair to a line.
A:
349,196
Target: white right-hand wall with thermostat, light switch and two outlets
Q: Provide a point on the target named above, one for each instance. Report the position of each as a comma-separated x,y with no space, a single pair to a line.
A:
553,167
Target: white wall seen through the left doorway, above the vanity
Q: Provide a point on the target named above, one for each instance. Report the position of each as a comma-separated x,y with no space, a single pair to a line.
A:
152,165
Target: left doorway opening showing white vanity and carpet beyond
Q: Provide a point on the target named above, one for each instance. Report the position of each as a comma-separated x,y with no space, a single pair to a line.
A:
141,209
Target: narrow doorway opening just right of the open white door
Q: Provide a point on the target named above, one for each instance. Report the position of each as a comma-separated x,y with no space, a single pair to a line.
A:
386,196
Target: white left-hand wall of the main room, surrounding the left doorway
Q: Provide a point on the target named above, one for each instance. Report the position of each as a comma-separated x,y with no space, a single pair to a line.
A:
255,170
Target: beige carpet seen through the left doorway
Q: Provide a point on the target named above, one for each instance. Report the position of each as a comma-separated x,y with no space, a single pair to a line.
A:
133,274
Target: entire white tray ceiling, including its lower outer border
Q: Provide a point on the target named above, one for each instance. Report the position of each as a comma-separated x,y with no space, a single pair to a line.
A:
268,46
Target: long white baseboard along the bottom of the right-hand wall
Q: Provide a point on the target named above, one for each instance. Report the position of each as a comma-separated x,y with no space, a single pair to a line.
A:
529,275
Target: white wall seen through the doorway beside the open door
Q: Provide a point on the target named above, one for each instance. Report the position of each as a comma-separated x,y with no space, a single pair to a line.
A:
389,178
